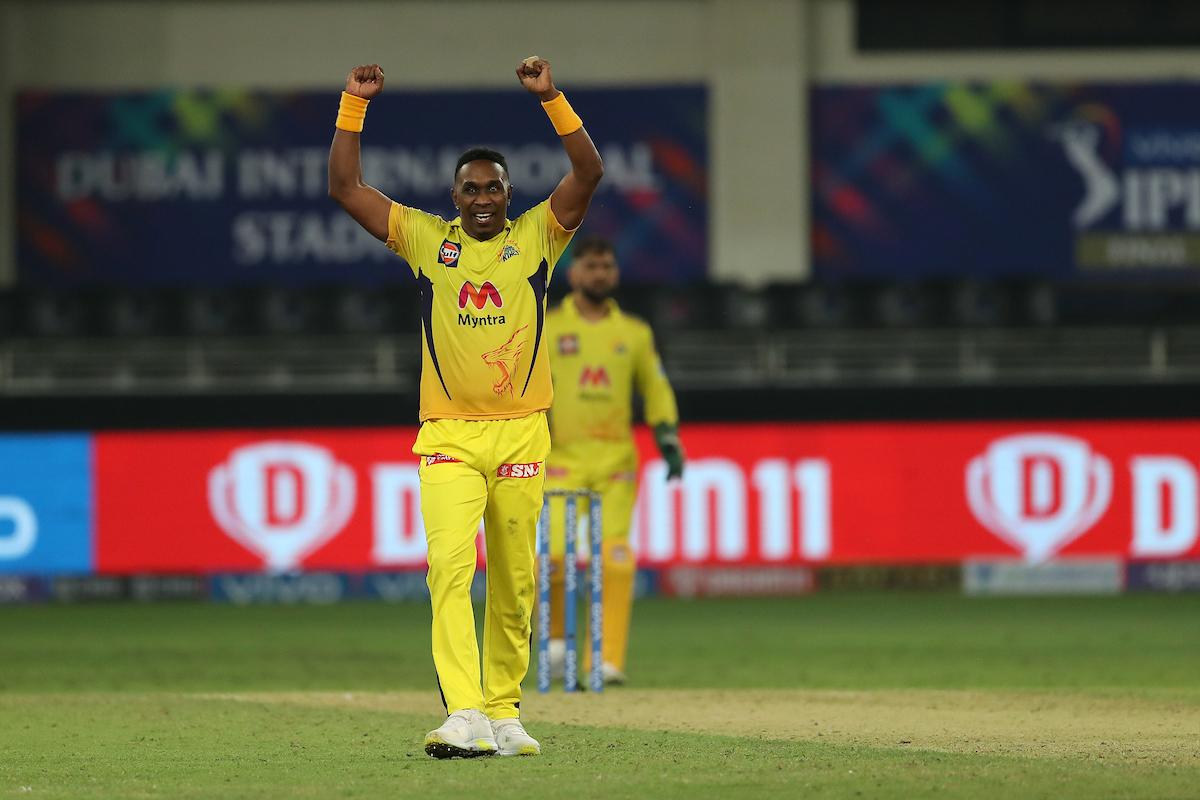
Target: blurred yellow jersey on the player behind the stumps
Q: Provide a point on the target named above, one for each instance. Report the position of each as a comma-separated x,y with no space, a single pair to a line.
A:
597,366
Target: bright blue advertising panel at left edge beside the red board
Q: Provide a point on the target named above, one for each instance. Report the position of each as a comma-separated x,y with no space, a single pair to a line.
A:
46,504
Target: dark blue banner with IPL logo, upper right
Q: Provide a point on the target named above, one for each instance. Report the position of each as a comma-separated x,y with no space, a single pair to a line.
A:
1007,179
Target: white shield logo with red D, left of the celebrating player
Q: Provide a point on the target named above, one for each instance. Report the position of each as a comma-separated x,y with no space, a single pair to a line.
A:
281,500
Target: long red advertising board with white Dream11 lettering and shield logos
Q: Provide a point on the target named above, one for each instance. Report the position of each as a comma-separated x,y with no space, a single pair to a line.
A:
753,495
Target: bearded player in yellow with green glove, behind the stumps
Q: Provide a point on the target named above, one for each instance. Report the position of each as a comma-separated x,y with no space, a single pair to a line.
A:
599,357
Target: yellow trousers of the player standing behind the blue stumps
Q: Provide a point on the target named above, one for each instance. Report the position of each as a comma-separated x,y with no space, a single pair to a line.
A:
609,468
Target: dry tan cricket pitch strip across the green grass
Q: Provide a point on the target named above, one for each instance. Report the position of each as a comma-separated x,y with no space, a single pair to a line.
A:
1111,726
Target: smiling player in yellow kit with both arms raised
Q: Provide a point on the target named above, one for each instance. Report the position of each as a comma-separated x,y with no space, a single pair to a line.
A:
485,392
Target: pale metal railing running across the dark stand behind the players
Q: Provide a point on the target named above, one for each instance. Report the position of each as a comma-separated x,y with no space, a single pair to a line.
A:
694,360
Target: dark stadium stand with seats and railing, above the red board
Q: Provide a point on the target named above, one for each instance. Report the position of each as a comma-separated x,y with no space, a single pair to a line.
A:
112,357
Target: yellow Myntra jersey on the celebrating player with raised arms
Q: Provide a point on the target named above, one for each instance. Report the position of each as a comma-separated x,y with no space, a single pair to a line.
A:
483,311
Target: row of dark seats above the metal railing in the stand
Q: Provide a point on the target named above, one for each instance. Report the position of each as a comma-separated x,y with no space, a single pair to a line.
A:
355,310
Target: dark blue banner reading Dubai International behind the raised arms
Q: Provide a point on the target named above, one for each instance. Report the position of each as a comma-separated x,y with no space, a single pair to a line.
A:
230,187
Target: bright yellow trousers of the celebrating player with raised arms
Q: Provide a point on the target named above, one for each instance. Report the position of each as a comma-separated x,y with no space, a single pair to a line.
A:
490,470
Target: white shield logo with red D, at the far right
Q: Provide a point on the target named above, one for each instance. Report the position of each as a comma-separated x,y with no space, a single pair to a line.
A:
1039,491
